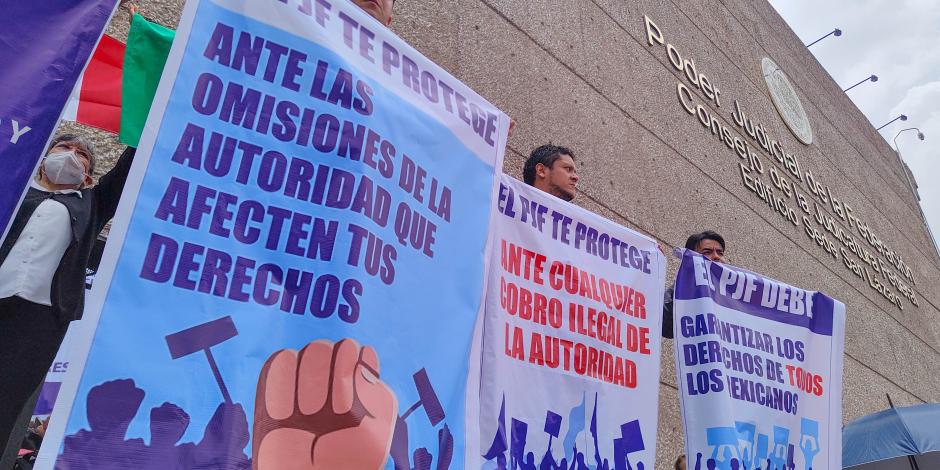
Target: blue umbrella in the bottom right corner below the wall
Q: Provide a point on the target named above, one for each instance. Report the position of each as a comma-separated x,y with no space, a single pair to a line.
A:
896,438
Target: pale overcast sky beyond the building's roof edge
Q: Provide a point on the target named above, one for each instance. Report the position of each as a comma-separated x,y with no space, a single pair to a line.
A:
899,41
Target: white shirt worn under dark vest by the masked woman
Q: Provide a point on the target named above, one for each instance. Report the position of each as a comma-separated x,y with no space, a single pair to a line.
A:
32,262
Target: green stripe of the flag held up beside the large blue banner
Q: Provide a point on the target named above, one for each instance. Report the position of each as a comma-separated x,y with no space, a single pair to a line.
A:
148,45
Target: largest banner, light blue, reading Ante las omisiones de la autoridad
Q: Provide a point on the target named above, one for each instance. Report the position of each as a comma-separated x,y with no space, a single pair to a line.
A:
295,272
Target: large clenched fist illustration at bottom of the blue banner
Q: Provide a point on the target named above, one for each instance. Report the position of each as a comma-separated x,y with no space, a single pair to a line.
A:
323,408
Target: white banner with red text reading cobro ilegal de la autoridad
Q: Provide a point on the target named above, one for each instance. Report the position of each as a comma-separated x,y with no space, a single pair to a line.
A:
571,348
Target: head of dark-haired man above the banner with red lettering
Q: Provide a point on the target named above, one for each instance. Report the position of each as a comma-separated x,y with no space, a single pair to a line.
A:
551,168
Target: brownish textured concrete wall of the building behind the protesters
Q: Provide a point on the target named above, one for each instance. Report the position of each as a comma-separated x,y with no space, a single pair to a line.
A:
580,73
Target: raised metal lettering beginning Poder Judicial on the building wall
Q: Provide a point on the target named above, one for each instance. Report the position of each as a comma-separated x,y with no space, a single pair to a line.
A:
792,192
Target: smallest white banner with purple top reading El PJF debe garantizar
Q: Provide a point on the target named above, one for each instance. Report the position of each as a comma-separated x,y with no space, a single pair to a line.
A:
759,366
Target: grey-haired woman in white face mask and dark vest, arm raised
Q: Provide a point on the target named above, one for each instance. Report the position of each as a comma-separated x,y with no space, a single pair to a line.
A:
42,264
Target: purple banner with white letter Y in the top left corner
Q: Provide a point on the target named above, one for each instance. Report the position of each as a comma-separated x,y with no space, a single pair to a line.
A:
45,45
